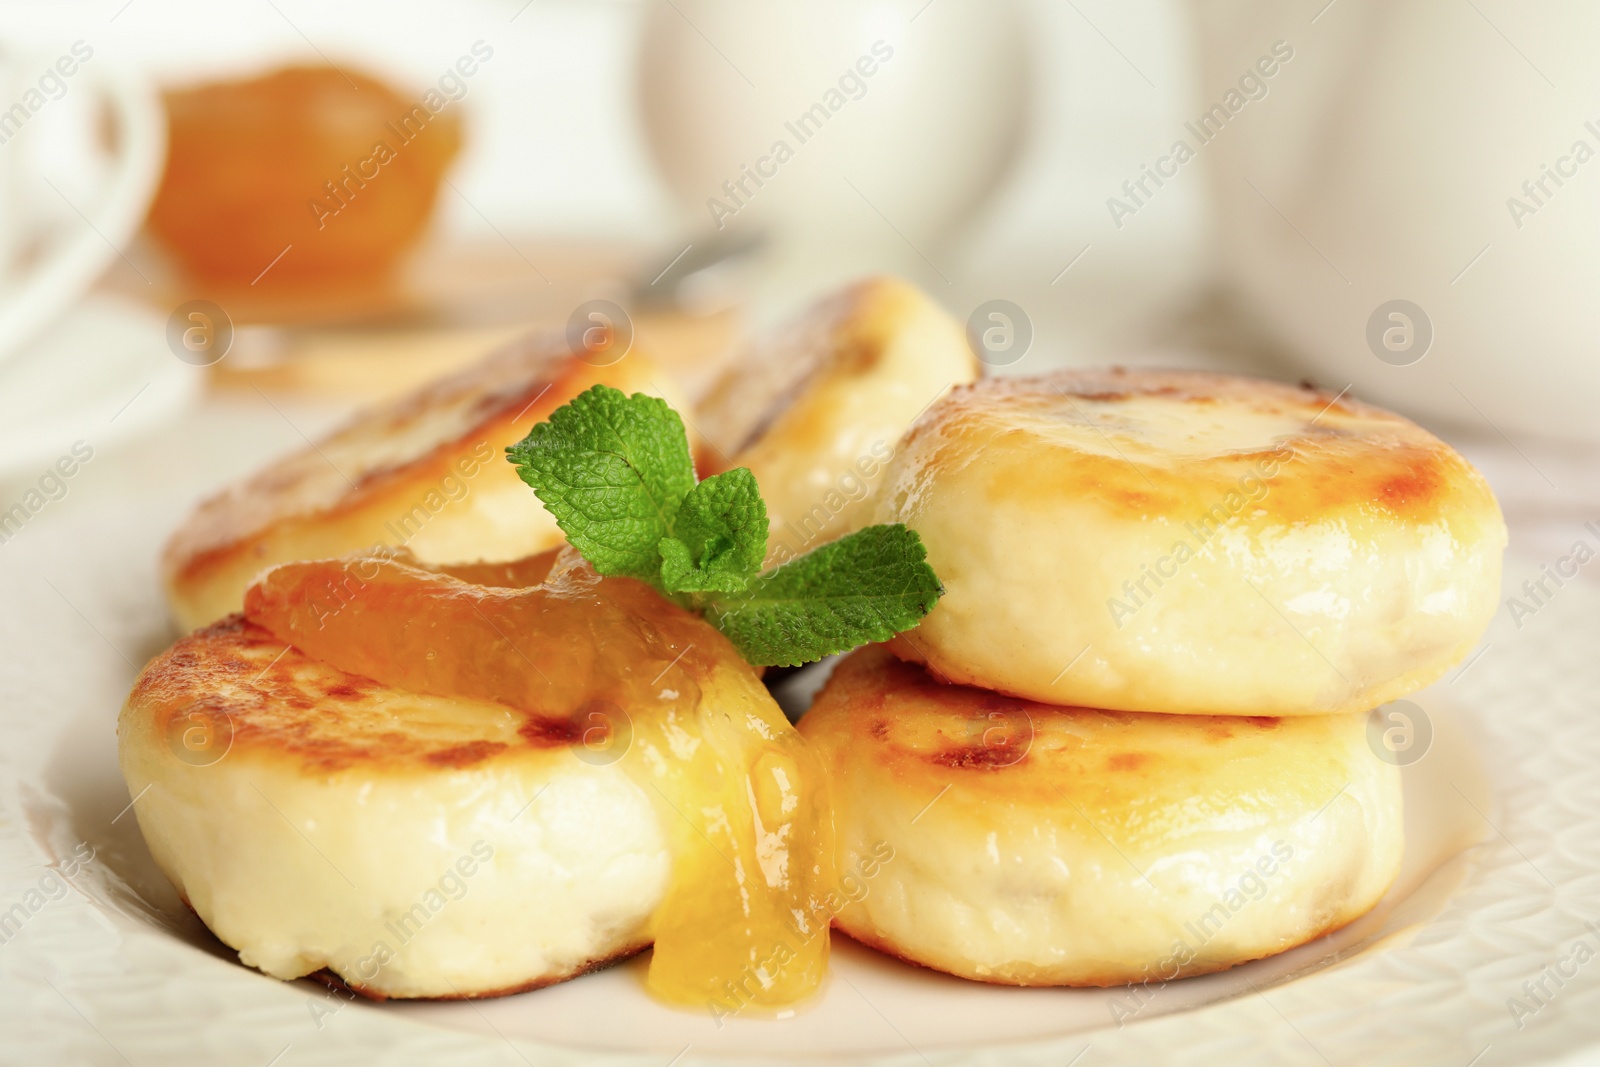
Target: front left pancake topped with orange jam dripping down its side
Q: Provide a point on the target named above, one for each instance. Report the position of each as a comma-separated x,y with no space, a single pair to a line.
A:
313,780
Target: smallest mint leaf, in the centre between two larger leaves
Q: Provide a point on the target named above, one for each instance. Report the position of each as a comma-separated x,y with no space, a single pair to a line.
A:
719,538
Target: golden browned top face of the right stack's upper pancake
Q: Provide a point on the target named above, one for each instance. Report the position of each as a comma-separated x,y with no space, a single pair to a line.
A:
1151,442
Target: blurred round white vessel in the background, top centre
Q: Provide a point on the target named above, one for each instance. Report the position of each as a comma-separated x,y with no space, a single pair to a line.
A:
855,134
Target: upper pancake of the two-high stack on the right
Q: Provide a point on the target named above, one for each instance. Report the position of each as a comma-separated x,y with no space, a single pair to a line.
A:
1190,543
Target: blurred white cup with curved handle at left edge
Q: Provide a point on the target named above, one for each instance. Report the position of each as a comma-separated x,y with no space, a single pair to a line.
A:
68,201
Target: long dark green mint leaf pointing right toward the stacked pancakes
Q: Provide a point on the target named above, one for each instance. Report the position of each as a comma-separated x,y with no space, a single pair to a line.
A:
863,588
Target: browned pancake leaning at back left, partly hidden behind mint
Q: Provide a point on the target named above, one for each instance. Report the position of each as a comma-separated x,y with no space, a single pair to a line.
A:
426,473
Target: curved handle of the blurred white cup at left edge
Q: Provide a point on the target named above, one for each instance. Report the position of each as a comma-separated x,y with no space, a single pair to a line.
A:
70,270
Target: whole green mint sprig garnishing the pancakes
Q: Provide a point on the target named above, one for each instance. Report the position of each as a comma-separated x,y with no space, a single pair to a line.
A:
615,473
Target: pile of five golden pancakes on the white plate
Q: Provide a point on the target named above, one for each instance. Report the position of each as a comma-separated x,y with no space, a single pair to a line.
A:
1129,743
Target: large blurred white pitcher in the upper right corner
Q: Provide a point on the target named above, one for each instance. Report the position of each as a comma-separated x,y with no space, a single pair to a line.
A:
1410,209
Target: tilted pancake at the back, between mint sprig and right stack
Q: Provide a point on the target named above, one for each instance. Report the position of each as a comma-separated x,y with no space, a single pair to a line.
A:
817,407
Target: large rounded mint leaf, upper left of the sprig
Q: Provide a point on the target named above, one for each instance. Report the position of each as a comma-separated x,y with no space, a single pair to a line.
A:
614,471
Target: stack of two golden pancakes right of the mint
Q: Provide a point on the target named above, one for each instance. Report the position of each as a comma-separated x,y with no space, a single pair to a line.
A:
1130,743
